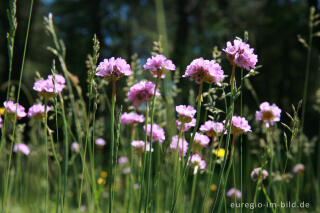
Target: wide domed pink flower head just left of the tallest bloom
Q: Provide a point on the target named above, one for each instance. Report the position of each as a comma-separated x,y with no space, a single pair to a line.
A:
201,70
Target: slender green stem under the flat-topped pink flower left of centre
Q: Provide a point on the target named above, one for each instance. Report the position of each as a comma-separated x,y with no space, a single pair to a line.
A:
112,145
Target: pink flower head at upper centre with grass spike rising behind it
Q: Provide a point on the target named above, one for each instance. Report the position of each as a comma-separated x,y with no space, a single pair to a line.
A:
158,65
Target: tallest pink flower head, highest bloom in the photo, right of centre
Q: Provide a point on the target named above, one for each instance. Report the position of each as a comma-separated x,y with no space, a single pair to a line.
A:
241,55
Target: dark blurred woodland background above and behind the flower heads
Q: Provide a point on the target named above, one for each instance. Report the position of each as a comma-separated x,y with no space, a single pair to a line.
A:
190,30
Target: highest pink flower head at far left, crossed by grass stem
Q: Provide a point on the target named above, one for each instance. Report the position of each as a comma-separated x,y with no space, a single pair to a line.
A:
47,88
